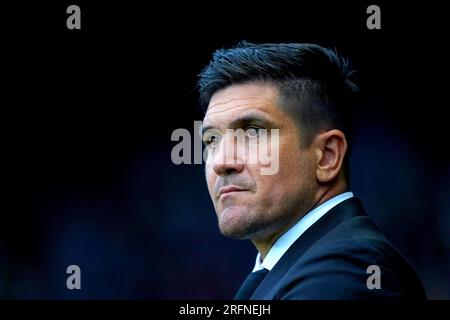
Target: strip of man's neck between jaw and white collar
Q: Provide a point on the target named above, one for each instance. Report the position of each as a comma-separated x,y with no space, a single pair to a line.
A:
265,243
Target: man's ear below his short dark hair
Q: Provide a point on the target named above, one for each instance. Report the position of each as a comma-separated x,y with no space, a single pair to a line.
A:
331,147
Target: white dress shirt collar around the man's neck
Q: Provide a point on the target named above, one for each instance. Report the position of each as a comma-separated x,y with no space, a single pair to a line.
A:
283,243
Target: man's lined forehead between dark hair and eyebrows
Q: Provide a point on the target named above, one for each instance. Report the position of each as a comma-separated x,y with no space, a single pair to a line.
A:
236,100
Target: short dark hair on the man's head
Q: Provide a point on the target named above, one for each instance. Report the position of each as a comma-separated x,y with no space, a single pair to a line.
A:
314,83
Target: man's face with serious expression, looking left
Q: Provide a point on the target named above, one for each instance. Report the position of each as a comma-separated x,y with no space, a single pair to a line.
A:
248,204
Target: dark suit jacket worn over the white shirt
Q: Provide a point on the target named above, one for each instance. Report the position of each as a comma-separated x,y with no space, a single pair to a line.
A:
330,260
